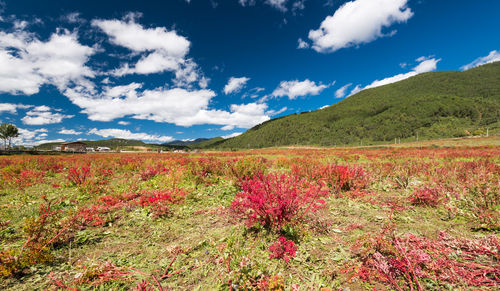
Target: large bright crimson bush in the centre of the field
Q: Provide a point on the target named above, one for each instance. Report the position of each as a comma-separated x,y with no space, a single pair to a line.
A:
276,200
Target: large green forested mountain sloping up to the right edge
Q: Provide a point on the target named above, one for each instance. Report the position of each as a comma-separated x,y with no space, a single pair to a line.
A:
431,105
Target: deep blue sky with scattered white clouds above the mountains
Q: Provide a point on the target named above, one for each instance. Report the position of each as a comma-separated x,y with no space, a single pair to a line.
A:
163,70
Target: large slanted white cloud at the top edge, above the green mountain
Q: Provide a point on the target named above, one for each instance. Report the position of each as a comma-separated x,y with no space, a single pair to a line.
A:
357,22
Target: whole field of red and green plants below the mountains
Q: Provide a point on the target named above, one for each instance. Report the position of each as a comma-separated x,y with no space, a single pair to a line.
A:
277,219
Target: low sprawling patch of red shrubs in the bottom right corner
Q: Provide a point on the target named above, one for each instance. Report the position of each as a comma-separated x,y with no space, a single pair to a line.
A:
405,261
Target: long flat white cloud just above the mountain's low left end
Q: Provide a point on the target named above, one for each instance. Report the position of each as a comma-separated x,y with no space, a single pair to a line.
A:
179,106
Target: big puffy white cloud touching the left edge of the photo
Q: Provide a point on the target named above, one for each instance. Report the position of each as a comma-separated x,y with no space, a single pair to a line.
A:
26,62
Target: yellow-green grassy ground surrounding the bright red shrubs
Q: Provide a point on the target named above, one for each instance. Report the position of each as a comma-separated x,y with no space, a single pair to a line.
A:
198,243
